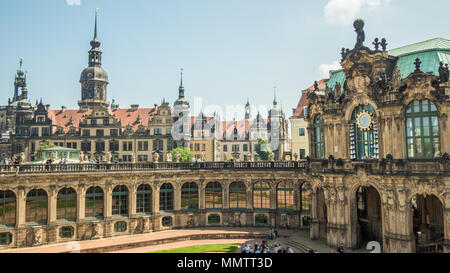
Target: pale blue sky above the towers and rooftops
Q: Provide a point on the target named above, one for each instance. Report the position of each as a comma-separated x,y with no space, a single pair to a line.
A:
230,50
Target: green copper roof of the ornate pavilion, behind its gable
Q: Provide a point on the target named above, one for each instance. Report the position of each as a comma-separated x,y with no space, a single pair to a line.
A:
430,53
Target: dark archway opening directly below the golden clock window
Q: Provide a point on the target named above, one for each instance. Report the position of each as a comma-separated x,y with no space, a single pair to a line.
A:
369,217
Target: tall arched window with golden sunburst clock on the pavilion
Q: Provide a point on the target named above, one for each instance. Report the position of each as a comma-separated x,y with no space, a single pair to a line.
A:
364,133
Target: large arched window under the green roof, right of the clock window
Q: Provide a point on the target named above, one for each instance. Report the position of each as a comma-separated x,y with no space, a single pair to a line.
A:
422,130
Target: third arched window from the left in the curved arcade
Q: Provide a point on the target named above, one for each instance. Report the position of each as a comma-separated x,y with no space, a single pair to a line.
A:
66,206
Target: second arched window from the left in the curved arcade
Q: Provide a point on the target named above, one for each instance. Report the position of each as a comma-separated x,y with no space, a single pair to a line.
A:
36,207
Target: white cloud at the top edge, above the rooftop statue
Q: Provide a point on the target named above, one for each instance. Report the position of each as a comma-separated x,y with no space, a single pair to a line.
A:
343,12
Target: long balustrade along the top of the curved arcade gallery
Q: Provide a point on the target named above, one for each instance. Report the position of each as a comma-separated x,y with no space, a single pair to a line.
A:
93,167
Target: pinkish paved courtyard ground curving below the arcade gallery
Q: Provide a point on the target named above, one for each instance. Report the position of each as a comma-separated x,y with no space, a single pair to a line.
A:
298,240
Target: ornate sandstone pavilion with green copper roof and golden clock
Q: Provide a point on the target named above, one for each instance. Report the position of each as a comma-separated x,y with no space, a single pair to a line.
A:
384,116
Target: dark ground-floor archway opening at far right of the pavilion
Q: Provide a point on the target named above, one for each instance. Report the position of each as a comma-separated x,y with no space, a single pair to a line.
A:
428,223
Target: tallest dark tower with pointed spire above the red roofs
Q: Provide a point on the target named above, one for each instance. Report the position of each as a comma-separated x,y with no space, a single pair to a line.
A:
94,79
